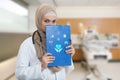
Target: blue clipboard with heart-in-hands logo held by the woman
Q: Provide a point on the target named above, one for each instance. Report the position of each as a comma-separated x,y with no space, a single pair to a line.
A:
57,38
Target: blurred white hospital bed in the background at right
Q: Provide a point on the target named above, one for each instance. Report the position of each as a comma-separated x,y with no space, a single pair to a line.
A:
92,47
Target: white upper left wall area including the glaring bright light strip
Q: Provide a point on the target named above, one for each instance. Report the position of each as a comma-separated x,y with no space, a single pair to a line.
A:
13,17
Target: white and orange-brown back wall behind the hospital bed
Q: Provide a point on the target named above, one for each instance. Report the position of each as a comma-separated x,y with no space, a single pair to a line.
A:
105,19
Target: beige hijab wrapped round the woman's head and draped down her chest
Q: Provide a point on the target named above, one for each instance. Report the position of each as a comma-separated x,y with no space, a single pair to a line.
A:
39,35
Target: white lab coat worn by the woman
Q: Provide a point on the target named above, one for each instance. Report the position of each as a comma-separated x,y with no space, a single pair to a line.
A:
28,67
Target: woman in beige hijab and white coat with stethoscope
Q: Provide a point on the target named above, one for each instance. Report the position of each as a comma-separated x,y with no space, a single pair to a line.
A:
32,59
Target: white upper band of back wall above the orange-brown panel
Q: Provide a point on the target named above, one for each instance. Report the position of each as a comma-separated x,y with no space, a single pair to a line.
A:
88,12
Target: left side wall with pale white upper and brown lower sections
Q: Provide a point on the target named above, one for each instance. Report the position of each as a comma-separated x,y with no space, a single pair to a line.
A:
13,30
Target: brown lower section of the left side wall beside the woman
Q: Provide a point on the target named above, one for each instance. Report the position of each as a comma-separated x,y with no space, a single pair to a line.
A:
9,44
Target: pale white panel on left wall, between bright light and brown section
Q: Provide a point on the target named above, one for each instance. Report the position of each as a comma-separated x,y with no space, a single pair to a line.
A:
13,23
